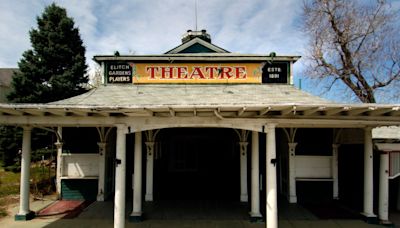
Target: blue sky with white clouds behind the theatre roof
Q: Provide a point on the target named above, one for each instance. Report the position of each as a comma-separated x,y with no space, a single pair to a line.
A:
156,26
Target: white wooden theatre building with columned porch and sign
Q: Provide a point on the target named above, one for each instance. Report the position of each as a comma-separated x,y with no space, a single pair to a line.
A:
199,122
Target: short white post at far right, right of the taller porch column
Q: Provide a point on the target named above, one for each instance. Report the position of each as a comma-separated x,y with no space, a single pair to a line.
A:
384,187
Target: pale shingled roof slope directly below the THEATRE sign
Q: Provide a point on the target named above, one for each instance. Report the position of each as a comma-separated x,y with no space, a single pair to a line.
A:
192,95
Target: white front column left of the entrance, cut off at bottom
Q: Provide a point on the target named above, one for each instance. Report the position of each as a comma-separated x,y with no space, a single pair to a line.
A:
120,175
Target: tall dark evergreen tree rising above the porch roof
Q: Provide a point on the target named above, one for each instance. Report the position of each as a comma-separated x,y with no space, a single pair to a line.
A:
55,67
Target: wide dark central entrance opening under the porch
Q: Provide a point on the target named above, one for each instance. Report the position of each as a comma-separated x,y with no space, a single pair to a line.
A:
197,164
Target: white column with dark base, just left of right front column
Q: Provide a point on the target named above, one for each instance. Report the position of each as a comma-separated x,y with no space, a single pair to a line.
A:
255,179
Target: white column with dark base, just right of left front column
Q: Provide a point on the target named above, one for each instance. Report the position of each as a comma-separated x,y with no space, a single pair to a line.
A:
136,214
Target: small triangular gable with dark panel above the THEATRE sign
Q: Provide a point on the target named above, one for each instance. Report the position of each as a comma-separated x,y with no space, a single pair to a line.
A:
197,45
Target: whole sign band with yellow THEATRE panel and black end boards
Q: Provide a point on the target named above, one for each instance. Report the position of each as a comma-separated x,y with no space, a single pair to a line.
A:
145,73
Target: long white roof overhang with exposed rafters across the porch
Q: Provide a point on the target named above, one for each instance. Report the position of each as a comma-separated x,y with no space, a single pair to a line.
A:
284,115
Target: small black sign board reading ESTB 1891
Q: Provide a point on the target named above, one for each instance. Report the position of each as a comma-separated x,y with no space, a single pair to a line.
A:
275,72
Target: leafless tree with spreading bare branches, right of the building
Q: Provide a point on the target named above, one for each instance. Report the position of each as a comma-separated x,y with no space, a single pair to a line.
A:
355,42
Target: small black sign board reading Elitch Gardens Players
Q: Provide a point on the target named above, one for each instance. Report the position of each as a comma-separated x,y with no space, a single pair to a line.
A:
118,72
